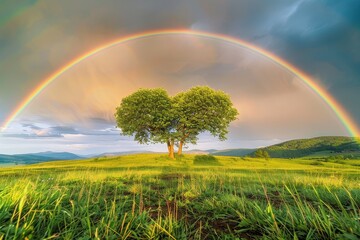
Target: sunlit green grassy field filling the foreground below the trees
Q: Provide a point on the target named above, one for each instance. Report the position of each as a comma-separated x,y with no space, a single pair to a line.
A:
149,196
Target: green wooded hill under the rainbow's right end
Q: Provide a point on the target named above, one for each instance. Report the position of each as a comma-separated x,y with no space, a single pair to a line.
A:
347,147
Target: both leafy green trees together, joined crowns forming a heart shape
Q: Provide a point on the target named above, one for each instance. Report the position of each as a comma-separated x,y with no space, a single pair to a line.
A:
150,115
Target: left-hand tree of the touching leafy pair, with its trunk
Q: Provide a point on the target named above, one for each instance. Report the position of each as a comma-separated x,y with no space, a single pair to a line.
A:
147,115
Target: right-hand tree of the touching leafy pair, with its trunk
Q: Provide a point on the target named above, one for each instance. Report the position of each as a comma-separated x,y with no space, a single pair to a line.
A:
202,109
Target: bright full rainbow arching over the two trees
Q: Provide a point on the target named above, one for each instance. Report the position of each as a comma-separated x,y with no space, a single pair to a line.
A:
326,97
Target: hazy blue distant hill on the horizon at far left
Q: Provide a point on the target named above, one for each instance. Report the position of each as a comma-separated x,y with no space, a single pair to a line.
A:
31,158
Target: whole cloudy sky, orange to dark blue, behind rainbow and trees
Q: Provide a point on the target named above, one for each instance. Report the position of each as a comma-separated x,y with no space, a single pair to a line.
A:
75,112
